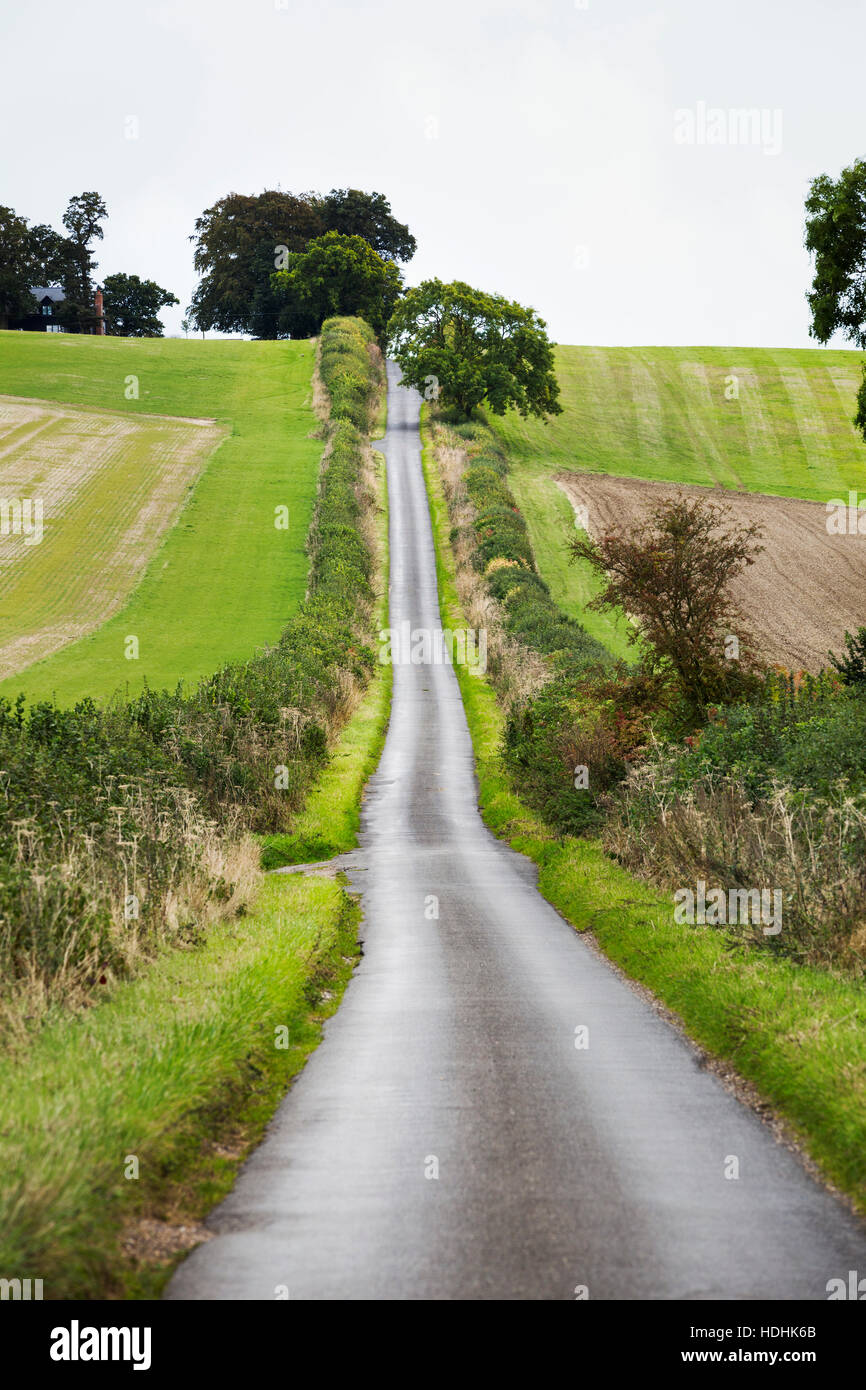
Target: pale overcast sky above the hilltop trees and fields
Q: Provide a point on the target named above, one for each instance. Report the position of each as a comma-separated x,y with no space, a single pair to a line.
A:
580,158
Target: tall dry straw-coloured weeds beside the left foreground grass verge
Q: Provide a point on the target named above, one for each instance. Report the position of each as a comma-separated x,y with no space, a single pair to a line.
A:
87,907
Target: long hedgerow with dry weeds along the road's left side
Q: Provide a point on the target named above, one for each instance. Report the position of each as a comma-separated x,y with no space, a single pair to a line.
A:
129,826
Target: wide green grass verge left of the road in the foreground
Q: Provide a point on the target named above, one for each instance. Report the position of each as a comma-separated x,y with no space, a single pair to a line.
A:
180,1070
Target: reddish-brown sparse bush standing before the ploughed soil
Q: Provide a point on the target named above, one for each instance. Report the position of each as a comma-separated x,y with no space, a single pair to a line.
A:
673,576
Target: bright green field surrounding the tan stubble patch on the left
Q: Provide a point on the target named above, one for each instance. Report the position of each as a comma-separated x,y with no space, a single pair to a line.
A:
226,579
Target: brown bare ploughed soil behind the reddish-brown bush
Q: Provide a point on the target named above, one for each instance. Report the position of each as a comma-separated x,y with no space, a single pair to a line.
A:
803,593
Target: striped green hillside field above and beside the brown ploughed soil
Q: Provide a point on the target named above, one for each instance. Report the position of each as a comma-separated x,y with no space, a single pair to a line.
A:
662,414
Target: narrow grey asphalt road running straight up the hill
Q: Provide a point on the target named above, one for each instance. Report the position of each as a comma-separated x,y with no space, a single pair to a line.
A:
448,1139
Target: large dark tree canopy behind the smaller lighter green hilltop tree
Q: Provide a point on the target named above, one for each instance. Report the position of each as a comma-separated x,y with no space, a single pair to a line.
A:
244,241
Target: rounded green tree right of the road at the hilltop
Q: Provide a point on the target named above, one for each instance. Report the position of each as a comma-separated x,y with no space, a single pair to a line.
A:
464,347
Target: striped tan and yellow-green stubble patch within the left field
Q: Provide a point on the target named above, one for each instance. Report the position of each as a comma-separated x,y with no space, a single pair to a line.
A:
85,498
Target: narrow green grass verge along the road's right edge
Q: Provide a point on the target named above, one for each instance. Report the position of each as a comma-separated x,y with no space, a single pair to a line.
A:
797,1033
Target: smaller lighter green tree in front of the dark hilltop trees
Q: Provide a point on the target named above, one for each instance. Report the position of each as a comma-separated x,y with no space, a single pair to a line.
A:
341,276
